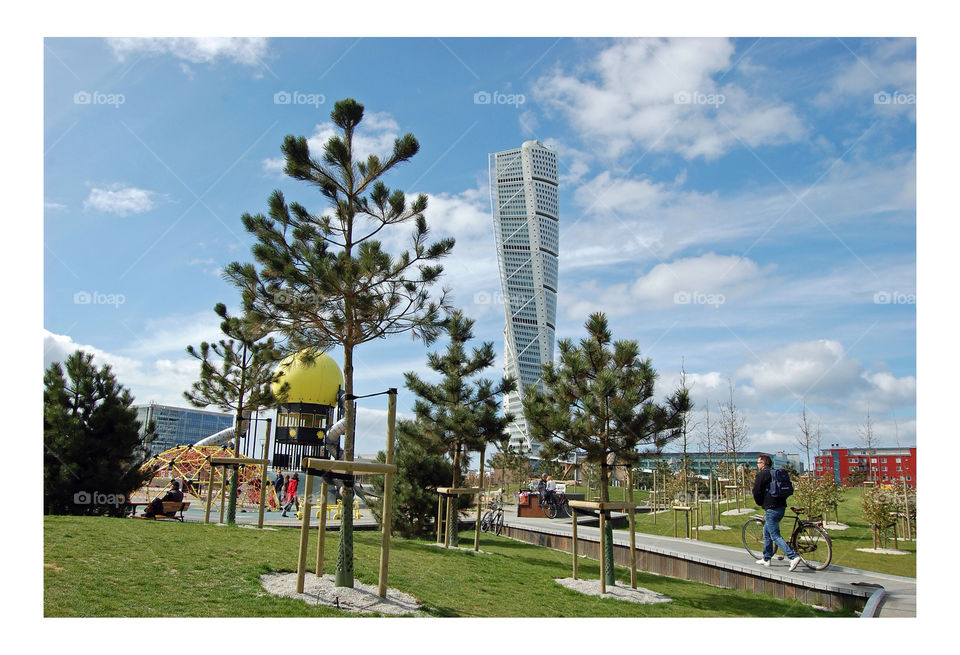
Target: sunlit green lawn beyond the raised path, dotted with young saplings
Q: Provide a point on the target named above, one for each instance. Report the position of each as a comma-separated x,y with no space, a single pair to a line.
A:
845,542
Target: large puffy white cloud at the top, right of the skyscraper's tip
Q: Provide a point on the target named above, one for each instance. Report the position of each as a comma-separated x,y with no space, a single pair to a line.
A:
660,95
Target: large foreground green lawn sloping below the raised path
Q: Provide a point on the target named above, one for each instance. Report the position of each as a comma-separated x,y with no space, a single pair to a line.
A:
97,566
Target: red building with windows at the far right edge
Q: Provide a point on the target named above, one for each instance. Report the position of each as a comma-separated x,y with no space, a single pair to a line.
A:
880,464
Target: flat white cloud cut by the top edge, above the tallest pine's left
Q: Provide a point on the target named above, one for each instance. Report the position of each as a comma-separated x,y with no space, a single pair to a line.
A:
245,51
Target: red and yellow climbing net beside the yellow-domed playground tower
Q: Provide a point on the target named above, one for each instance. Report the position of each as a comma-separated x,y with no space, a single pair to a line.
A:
190,465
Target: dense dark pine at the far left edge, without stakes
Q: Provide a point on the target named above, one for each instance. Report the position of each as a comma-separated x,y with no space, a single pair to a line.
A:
92,445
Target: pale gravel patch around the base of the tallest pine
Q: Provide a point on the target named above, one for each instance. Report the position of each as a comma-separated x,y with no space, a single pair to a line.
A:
361,599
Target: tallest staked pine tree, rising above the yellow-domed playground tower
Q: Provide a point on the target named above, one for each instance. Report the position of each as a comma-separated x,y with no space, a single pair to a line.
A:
325,281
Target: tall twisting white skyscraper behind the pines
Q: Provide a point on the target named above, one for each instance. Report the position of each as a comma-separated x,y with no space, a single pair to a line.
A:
523,194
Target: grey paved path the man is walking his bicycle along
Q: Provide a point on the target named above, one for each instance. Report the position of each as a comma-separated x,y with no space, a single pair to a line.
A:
901,598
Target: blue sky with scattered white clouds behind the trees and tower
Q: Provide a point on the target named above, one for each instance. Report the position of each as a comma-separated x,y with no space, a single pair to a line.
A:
744,206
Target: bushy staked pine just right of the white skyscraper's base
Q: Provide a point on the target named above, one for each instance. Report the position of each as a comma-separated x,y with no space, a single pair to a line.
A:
598,398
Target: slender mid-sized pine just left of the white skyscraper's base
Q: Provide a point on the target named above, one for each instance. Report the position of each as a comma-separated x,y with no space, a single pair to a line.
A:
460,413
